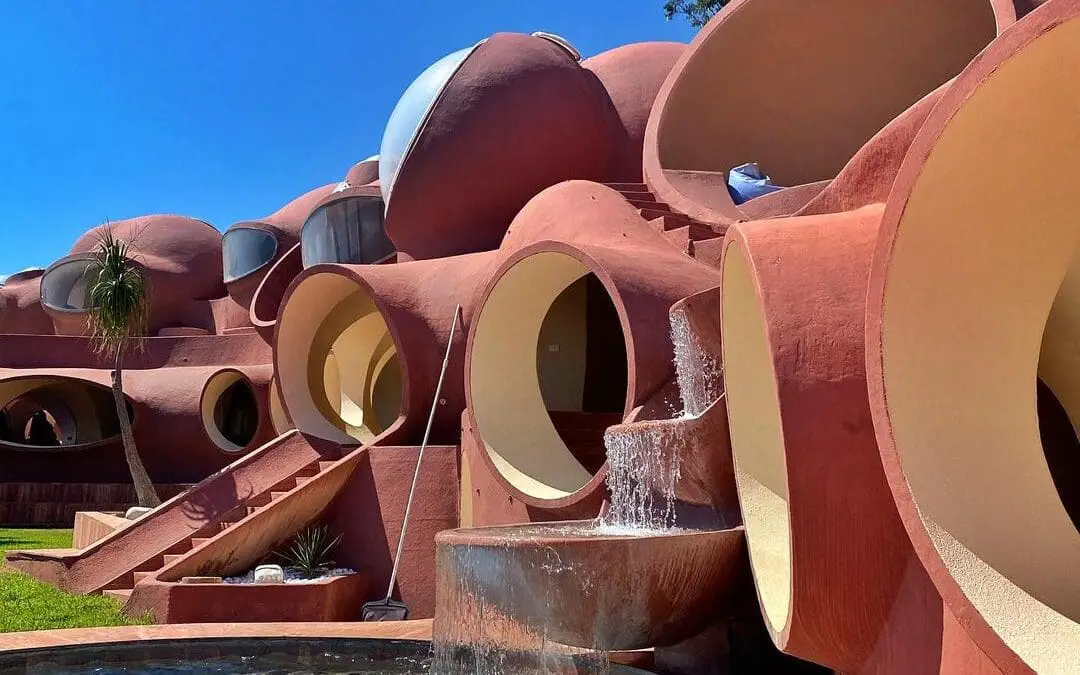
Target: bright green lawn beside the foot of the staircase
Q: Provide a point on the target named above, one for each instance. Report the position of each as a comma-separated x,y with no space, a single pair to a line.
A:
29,605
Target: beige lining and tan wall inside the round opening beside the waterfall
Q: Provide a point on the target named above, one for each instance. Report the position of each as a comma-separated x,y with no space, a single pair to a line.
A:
529,358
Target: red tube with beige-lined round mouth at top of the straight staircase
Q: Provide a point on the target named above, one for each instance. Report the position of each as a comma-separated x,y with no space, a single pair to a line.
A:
360,348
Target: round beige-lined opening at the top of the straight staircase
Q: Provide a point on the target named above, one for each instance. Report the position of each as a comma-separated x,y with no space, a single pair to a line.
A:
347,386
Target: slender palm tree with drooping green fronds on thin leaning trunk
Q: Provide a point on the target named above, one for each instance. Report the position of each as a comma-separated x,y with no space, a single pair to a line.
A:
117,298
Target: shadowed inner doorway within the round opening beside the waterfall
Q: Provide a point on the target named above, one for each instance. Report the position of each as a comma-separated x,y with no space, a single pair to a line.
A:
582,364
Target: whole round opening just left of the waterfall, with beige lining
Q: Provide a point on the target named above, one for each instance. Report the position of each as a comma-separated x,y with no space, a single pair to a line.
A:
548,374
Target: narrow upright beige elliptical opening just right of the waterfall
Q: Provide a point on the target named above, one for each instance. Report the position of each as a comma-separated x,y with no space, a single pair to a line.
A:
758,442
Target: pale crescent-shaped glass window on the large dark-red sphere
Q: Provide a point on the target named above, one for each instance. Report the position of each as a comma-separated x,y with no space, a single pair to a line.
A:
411,113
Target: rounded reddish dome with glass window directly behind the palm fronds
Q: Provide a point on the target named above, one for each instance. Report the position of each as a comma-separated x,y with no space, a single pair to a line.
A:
181,260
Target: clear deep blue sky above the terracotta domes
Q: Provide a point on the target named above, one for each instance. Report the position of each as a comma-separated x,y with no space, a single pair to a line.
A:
225,111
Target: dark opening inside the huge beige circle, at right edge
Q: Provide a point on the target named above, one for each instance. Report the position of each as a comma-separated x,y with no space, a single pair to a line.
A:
1062,449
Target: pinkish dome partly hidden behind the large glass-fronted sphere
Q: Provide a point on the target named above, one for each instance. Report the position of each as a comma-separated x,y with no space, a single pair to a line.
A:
633,75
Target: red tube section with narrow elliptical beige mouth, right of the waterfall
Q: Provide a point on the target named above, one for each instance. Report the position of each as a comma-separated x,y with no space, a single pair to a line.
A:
792,320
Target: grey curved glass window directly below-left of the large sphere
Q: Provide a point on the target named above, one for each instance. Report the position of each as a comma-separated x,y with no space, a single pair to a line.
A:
347,232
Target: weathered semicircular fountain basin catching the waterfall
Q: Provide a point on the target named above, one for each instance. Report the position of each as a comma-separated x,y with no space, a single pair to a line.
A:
580,586
